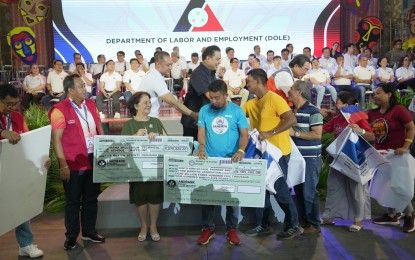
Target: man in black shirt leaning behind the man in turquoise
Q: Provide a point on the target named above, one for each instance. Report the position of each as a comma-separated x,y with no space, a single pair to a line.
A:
198,94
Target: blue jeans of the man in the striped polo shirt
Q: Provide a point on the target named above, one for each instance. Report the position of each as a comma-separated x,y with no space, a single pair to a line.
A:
307,195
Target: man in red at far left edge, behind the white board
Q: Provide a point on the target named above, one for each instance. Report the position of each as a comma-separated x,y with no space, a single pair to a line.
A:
12,124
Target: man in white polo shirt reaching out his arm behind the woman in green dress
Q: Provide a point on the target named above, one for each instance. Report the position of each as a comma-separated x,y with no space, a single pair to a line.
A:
154,83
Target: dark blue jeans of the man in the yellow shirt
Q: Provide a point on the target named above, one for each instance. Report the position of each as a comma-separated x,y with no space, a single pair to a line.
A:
283,197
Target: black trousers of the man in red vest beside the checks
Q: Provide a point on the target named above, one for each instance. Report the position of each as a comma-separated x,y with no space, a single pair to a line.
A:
81,196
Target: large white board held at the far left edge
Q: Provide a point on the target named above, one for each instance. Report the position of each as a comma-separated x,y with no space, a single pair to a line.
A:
23,178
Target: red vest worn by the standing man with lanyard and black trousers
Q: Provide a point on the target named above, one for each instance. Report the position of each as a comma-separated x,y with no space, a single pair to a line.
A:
73,139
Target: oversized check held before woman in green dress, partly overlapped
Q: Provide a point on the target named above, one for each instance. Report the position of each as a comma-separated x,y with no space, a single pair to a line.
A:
135,158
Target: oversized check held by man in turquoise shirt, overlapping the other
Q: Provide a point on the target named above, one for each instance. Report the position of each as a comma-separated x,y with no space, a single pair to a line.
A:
214,181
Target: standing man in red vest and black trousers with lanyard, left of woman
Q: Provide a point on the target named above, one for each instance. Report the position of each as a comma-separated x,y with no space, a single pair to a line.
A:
75,121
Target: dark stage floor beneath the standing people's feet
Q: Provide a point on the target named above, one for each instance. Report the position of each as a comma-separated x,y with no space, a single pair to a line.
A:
334,242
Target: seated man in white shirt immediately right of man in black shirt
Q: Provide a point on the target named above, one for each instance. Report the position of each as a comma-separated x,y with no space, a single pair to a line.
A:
235,79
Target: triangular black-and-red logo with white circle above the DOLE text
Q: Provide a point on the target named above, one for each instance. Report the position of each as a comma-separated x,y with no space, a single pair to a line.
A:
198,17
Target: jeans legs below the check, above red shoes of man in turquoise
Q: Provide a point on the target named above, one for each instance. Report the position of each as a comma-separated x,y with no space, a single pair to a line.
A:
208,214
